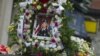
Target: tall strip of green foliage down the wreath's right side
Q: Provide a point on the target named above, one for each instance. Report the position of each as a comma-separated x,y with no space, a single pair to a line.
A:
67,32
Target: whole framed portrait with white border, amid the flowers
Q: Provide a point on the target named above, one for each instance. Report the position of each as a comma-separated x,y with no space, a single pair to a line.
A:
41,26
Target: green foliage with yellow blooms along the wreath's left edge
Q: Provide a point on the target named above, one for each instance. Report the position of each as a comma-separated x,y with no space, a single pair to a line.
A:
12,29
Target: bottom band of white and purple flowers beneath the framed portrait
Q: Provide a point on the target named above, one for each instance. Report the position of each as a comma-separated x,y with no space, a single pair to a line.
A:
39,47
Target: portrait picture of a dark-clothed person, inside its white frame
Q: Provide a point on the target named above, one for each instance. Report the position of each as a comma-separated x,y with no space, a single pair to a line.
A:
42,26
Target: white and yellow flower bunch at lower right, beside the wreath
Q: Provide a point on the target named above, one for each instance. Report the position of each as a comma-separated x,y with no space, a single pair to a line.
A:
84,48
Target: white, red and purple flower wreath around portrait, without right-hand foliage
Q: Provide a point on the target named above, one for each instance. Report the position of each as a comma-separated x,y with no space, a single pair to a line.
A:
23,29
